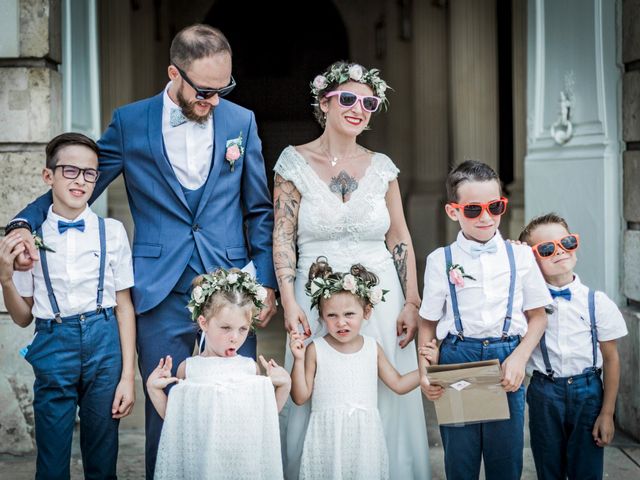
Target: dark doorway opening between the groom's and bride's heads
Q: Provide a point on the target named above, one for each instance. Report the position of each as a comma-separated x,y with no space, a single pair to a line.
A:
278,48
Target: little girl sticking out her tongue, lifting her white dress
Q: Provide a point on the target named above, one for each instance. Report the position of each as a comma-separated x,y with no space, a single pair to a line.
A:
221,419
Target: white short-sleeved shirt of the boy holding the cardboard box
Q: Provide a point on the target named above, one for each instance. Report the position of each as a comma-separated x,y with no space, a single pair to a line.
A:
482,302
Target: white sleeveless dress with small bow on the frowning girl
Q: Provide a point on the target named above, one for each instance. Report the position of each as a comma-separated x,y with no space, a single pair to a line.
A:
345,439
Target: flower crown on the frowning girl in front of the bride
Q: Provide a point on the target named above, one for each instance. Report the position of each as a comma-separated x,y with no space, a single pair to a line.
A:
324,282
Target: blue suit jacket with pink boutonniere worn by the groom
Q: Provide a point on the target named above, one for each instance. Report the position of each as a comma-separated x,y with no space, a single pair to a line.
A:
166,230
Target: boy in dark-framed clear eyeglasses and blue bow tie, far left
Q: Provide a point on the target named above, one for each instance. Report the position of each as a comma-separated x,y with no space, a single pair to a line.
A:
83,349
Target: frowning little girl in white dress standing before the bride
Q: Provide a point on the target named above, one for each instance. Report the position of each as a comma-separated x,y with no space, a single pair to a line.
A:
339,372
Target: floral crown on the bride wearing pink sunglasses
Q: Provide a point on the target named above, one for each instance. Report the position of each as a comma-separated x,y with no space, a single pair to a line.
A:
341,72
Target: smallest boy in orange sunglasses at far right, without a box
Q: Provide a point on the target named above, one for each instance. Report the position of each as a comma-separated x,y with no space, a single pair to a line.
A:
570,413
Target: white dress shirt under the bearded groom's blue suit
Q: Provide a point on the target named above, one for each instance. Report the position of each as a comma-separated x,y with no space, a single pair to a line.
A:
189,146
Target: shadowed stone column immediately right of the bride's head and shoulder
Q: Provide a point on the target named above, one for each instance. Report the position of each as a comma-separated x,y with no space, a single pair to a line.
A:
430,122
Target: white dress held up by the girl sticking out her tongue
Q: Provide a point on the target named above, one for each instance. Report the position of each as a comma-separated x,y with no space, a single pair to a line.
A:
221,423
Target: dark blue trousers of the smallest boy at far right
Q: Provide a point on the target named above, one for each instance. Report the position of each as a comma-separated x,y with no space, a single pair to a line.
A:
562,413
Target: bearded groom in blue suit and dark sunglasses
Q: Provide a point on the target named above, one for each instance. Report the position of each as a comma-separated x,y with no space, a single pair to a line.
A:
195,180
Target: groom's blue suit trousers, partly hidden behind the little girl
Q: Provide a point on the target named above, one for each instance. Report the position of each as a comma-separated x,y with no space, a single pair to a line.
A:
167,329
